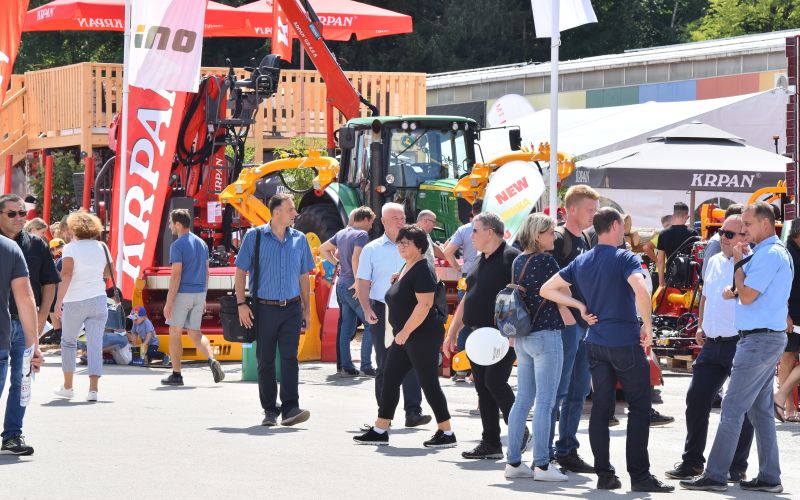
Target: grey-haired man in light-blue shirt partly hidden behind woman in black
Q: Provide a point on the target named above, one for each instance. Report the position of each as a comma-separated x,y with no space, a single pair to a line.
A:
379,260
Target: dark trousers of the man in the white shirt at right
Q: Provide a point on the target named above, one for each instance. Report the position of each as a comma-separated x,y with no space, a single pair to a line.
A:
709,372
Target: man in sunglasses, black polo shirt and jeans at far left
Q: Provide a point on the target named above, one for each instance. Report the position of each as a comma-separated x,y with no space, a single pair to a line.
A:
43,278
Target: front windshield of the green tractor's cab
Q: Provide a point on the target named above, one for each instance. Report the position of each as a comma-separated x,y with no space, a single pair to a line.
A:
422,155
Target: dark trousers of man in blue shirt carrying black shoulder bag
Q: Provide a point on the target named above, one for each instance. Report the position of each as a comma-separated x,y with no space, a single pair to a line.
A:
278,327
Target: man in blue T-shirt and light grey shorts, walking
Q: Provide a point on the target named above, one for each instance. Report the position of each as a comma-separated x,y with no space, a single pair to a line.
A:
186,298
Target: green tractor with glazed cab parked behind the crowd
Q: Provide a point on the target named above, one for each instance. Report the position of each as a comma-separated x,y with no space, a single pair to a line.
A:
412,160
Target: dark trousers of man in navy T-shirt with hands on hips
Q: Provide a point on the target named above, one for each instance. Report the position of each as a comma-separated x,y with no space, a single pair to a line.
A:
630,366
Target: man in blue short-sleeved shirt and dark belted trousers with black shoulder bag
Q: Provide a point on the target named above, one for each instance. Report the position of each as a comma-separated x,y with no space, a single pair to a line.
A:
283,308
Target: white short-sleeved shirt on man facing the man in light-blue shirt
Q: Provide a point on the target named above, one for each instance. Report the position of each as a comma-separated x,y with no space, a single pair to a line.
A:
718,314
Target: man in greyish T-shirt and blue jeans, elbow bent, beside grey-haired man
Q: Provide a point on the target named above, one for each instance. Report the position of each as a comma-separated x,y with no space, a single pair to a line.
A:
349,242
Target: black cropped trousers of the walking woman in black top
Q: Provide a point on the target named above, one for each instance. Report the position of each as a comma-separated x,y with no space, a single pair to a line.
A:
420,355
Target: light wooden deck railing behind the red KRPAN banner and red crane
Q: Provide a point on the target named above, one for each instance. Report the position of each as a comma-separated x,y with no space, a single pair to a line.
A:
73,106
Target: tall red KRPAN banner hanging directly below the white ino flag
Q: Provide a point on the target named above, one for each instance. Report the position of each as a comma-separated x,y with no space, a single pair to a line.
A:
154,120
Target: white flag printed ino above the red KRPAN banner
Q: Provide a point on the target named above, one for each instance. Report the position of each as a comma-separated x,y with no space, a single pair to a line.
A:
166,44
